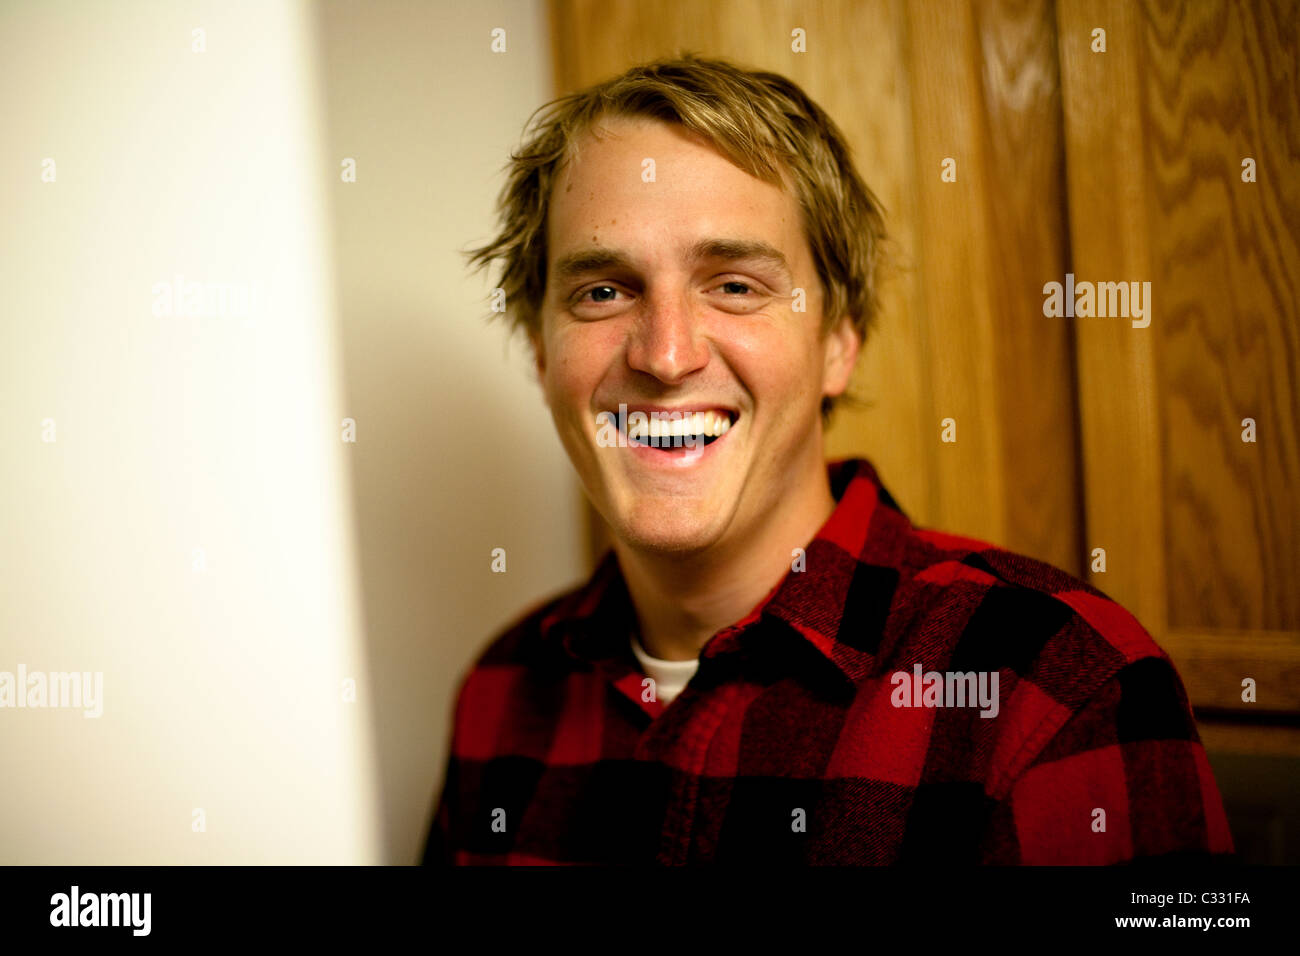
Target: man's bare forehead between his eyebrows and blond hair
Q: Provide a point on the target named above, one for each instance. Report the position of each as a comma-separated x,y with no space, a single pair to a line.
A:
651,183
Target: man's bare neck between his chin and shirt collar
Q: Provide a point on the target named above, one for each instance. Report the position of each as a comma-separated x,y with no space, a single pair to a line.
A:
682,602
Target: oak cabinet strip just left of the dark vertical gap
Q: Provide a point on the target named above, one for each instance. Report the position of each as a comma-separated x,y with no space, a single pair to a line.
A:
987,94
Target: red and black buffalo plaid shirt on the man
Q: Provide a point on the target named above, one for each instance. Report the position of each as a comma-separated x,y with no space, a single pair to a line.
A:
788,747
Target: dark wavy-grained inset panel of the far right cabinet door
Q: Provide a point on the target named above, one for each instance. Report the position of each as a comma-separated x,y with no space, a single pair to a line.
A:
1221,83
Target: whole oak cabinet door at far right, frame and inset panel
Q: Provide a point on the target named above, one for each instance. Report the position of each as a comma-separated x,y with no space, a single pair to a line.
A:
1201,529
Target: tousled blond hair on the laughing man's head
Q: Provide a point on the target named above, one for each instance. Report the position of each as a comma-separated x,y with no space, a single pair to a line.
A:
761,122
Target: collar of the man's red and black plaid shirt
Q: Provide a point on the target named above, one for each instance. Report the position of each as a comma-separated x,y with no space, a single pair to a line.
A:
839,603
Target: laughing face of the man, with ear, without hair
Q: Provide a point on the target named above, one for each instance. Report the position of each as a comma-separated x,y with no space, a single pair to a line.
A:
677,295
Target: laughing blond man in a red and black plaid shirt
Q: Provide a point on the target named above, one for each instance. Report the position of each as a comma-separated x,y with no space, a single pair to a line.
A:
773,664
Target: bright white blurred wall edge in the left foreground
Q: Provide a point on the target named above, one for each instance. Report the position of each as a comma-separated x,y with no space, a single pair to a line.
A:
174,434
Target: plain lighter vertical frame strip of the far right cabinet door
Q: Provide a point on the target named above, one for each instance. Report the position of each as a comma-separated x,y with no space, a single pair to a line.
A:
1111,240
